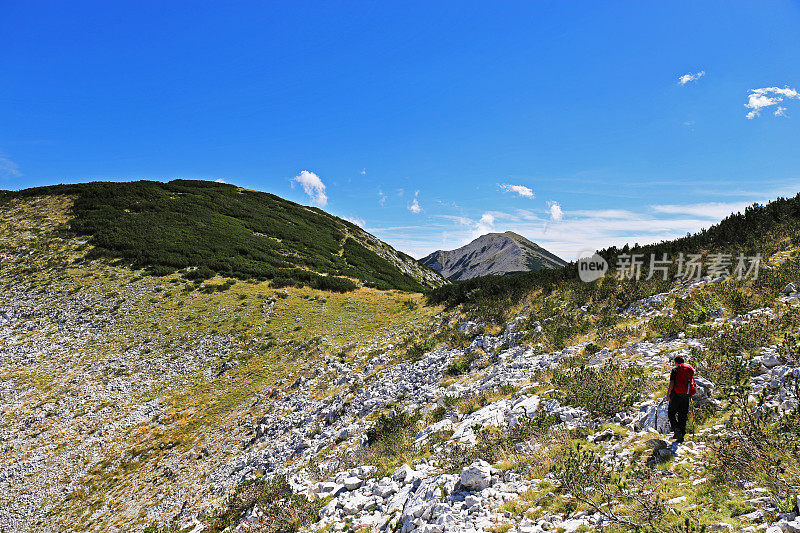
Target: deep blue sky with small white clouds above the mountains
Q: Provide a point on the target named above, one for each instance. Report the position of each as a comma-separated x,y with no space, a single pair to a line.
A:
576,124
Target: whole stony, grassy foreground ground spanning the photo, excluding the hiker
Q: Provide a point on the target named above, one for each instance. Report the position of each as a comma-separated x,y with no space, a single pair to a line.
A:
129,401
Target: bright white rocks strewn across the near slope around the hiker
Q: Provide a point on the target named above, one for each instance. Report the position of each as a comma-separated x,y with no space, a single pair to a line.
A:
420,497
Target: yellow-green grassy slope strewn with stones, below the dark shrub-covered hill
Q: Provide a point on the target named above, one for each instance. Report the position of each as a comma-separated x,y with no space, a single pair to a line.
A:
124,391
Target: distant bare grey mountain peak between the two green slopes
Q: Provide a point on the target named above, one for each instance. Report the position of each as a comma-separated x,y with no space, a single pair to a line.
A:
493,253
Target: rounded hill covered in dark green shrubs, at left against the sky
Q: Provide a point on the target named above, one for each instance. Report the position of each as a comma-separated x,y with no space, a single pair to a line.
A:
207,228
